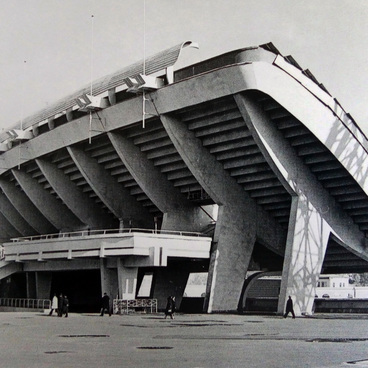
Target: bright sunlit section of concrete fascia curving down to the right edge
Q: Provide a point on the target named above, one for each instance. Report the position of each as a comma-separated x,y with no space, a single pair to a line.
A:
325,125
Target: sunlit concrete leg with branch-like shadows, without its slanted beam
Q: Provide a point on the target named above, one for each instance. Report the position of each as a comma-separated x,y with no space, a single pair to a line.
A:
306,246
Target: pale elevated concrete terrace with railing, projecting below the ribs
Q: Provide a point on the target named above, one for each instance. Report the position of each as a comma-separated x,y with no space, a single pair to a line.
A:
137,246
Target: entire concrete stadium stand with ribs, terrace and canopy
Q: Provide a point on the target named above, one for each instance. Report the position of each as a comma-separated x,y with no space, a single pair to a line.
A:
120,179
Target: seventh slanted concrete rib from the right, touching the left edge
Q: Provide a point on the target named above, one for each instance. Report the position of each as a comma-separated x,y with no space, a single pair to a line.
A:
26,208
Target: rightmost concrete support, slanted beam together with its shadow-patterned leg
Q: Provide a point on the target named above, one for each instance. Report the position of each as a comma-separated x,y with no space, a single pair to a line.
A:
314,213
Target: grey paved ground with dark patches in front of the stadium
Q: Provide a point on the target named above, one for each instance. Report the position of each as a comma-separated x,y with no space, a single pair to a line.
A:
29,339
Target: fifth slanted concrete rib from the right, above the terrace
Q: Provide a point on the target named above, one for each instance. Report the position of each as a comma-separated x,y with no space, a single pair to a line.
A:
77,201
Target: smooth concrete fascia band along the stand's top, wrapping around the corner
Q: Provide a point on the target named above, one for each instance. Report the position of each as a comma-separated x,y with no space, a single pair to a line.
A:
318,111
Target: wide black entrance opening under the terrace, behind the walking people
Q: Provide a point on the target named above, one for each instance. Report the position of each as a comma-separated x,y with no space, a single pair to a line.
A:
83,289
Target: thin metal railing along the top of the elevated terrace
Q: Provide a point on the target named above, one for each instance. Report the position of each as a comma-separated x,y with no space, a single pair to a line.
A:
103,232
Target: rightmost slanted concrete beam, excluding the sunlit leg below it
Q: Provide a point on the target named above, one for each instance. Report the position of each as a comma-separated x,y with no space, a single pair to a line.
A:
290,168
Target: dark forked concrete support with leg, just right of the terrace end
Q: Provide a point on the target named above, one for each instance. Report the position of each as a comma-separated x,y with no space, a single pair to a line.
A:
237,226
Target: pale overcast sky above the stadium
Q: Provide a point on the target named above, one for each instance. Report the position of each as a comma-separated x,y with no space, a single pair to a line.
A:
46,48
